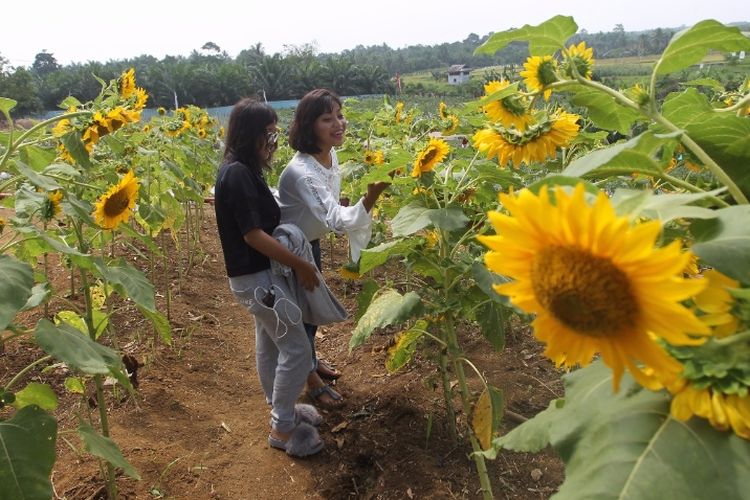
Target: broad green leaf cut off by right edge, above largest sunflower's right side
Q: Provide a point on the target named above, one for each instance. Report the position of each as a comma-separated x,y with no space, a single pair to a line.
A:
724,242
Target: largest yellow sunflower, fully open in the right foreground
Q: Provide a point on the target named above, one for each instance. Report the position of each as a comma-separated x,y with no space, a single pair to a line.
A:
595,283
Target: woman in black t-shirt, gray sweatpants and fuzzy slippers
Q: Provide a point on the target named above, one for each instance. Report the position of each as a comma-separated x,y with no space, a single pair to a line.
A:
246,215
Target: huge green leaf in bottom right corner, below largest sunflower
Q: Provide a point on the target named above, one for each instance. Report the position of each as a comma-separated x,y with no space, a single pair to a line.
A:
627,446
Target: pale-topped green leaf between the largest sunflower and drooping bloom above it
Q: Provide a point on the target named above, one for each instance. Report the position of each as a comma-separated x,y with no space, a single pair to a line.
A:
624,158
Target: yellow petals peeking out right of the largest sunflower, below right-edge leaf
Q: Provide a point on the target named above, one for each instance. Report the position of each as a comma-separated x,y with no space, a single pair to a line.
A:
716,302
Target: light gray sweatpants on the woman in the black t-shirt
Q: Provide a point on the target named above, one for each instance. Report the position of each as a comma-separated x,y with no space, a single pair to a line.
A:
282,350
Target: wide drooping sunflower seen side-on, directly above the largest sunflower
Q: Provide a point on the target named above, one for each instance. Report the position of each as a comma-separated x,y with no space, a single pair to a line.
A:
537,143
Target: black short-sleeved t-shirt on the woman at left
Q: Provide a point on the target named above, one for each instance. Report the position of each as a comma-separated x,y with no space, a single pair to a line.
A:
243,202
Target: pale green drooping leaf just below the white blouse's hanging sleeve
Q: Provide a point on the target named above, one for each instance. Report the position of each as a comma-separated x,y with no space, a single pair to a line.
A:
388,308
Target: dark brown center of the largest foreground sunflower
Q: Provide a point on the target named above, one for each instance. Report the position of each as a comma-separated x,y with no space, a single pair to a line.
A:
588,294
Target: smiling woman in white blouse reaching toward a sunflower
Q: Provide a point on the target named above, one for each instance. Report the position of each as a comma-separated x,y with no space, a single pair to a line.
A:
309,197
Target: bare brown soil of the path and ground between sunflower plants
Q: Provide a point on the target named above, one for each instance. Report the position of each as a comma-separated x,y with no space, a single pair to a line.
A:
198,425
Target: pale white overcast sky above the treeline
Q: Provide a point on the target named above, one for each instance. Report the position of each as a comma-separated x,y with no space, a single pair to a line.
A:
82,31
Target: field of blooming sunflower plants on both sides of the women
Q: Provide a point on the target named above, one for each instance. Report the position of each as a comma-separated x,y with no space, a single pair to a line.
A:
614,222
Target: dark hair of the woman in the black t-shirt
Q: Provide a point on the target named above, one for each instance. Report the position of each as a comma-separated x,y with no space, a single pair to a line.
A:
246,132
